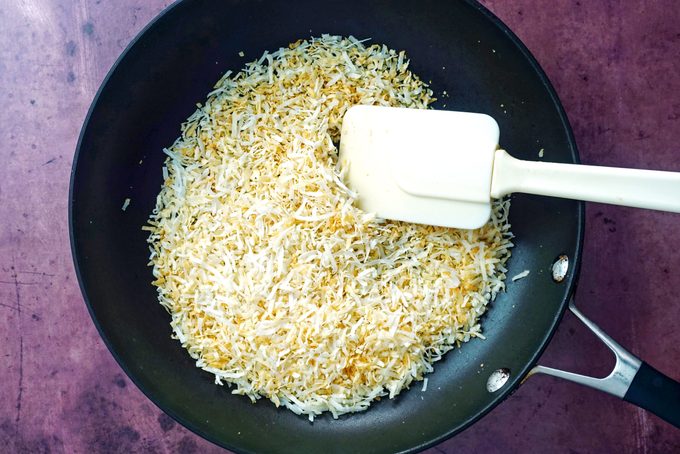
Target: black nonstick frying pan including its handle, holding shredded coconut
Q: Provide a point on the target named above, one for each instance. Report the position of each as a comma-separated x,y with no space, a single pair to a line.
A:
464,50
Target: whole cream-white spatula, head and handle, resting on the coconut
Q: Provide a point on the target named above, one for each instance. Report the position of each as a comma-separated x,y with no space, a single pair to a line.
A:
444,168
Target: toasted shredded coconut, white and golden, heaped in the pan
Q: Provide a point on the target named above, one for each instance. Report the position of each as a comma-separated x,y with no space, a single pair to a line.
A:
276,283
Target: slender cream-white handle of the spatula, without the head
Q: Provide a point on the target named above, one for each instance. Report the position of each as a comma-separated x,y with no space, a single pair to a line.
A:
652,189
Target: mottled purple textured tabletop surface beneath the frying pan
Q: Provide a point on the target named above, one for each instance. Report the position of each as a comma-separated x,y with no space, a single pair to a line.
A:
616,67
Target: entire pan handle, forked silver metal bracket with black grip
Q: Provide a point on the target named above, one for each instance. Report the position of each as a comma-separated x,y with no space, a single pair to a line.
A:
631,380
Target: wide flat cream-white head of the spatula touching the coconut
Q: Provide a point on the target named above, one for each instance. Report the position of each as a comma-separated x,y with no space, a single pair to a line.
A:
423,166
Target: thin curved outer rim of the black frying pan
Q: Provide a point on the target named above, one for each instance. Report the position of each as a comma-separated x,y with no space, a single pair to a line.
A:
515,381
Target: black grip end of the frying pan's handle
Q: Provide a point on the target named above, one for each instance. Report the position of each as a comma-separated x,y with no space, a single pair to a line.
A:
655,392
